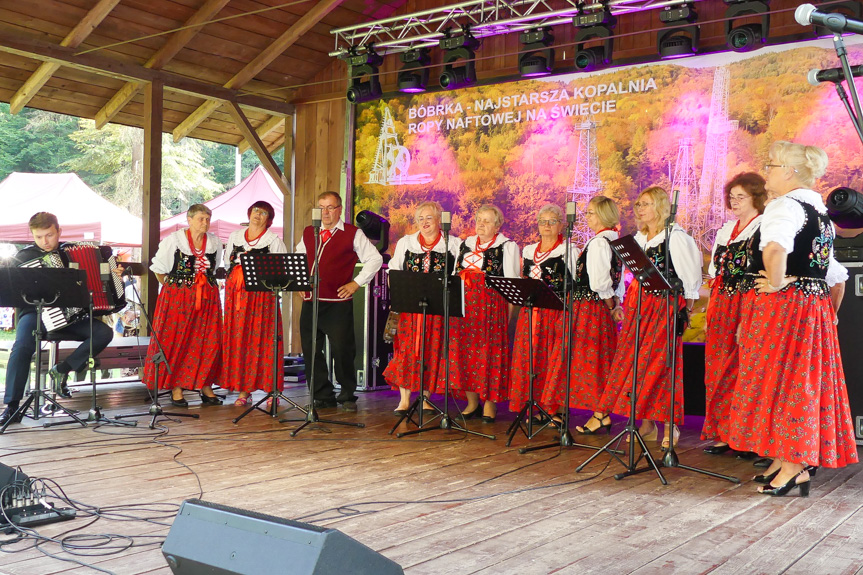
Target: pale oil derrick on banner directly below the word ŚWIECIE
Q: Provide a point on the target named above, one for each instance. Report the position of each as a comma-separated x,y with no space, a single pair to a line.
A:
586,183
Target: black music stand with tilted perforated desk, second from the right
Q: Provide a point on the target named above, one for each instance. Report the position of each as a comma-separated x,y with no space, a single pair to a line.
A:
528,293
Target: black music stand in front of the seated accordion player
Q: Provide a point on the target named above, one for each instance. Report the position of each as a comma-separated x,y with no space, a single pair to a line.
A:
40,287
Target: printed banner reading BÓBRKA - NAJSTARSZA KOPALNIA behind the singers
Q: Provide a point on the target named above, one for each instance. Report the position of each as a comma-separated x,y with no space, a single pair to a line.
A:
688,125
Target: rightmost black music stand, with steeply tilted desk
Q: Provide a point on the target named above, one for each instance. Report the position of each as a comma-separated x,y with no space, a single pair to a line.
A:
637,262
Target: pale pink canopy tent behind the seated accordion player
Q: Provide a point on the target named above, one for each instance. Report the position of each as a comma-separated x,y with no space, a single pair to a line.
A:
84,215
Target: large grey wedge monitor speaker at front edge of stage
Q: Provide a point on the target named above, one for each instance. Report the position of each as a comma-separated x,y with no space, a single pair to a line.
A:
212,539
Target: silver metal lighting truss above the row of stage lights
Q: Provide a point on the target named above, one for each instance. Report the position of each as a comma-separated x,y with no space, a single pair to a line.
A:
485,18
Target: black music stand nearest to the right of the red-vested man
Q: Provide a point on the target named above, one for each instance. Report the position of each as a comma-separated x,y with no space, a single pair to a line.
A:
422,293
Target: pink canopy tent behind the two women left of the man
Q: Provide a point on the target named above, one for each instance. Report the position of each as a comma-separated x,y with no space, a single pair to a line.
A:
230,210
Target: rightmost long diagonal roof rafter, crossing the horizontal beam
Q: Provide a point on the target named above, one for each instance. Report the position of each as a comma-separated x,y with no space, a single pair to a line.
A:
261,61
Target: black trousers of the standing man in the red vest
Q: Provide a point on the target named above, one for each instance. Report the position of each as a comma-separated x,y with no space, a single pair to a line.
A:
336,323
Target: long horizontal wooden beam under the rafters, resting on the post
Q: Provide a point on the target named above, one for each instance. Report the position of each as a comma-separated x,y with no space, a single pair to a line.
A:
93,62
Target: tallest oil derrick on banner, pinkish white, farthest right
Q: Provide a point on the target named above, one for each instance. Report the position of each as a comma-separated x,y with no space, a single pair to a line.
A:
710,213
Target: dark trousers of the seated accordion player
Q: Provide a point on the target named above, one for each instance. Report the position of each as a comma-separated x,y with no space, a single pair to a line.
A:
18,369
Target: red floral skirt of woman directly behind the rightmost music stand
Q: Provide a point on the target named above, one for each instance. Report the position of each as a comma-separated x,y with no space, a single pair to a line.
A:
654,378
